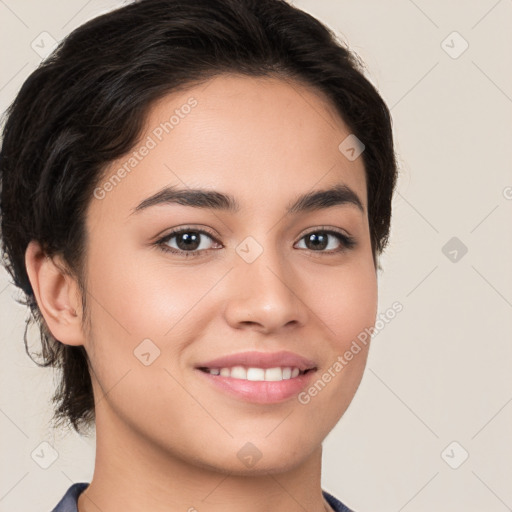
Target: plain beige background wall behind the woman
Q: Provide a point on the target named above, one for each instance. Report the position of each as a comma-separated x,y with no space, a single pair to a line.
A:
441,370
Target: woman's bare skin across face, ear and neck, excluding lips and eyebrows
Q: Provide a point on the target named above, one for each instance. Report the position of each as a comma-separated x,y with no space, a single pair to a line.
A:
167,439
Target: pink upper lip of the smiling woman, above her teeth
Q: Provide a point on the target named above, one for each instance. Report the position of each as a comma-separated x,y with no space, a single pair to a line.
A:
255,359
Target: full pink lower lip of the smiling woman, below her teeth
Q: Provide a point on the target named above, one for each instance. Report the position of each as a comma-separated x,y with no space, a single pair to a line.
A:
260,392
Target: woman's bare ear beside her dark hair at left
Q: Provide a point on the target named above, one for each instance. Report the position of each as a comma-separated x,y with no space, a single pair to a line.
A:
57,295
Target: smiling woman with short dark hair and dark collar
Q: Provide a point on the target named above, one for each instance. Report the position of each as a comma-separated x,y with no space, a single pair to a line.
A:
194,199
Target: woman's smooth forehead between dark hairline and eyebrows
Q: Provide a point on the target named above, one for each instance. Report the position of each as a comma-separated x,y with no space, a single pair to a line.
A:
262,140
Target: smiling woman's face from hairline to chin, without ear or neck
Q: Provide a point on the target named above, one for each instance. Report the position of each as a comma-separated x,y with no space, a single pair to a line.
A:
248,281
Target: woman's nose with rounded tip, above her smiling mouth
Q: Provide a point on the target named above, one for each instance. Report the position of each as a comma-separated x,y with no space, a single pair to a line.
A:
266,295
